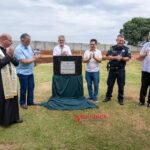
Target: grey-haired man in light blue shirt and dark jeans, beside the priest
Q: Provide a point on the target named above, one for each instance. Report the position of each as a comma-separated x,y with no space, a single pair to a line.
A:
26,57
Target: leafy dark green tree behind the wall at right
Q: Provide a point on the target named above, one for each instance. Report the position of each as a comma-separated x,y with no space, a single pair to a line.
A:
136,30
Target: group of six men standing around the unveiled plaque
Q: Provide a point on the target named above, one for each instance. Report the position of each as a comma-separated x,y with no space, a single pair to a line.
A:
20,62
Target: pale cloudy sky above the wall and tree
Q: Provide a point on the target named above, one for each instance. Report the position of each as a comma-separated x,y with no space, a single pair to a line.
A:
78,20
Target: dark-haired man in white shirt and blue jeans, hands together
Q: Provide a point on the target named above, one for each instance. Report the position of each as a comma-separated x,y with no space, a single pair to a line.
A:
92,58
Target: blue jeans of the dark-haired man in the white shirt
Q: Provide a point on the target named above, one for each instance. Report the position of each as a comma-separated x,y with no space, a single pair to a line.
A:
92,77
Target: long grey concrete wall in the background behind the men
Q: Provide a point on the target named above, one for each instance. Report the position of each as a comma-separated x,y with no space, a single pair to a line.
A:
74,46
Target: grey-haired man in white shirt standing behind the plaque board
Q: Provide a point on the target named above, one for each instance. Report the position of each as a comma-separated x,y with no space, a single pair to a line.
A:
62,49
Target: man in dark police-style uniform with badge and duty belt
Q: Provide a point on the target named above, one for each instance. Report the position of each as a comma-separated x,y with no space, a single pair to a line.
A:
118,55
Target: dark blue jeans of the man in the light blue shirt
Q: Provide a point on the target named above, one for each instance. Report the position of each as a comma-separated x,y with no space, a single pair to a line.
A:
26,89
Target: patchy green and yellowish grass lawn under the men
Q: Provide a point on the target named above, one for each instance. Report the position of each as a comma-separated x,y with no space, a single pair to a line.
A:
127,128
